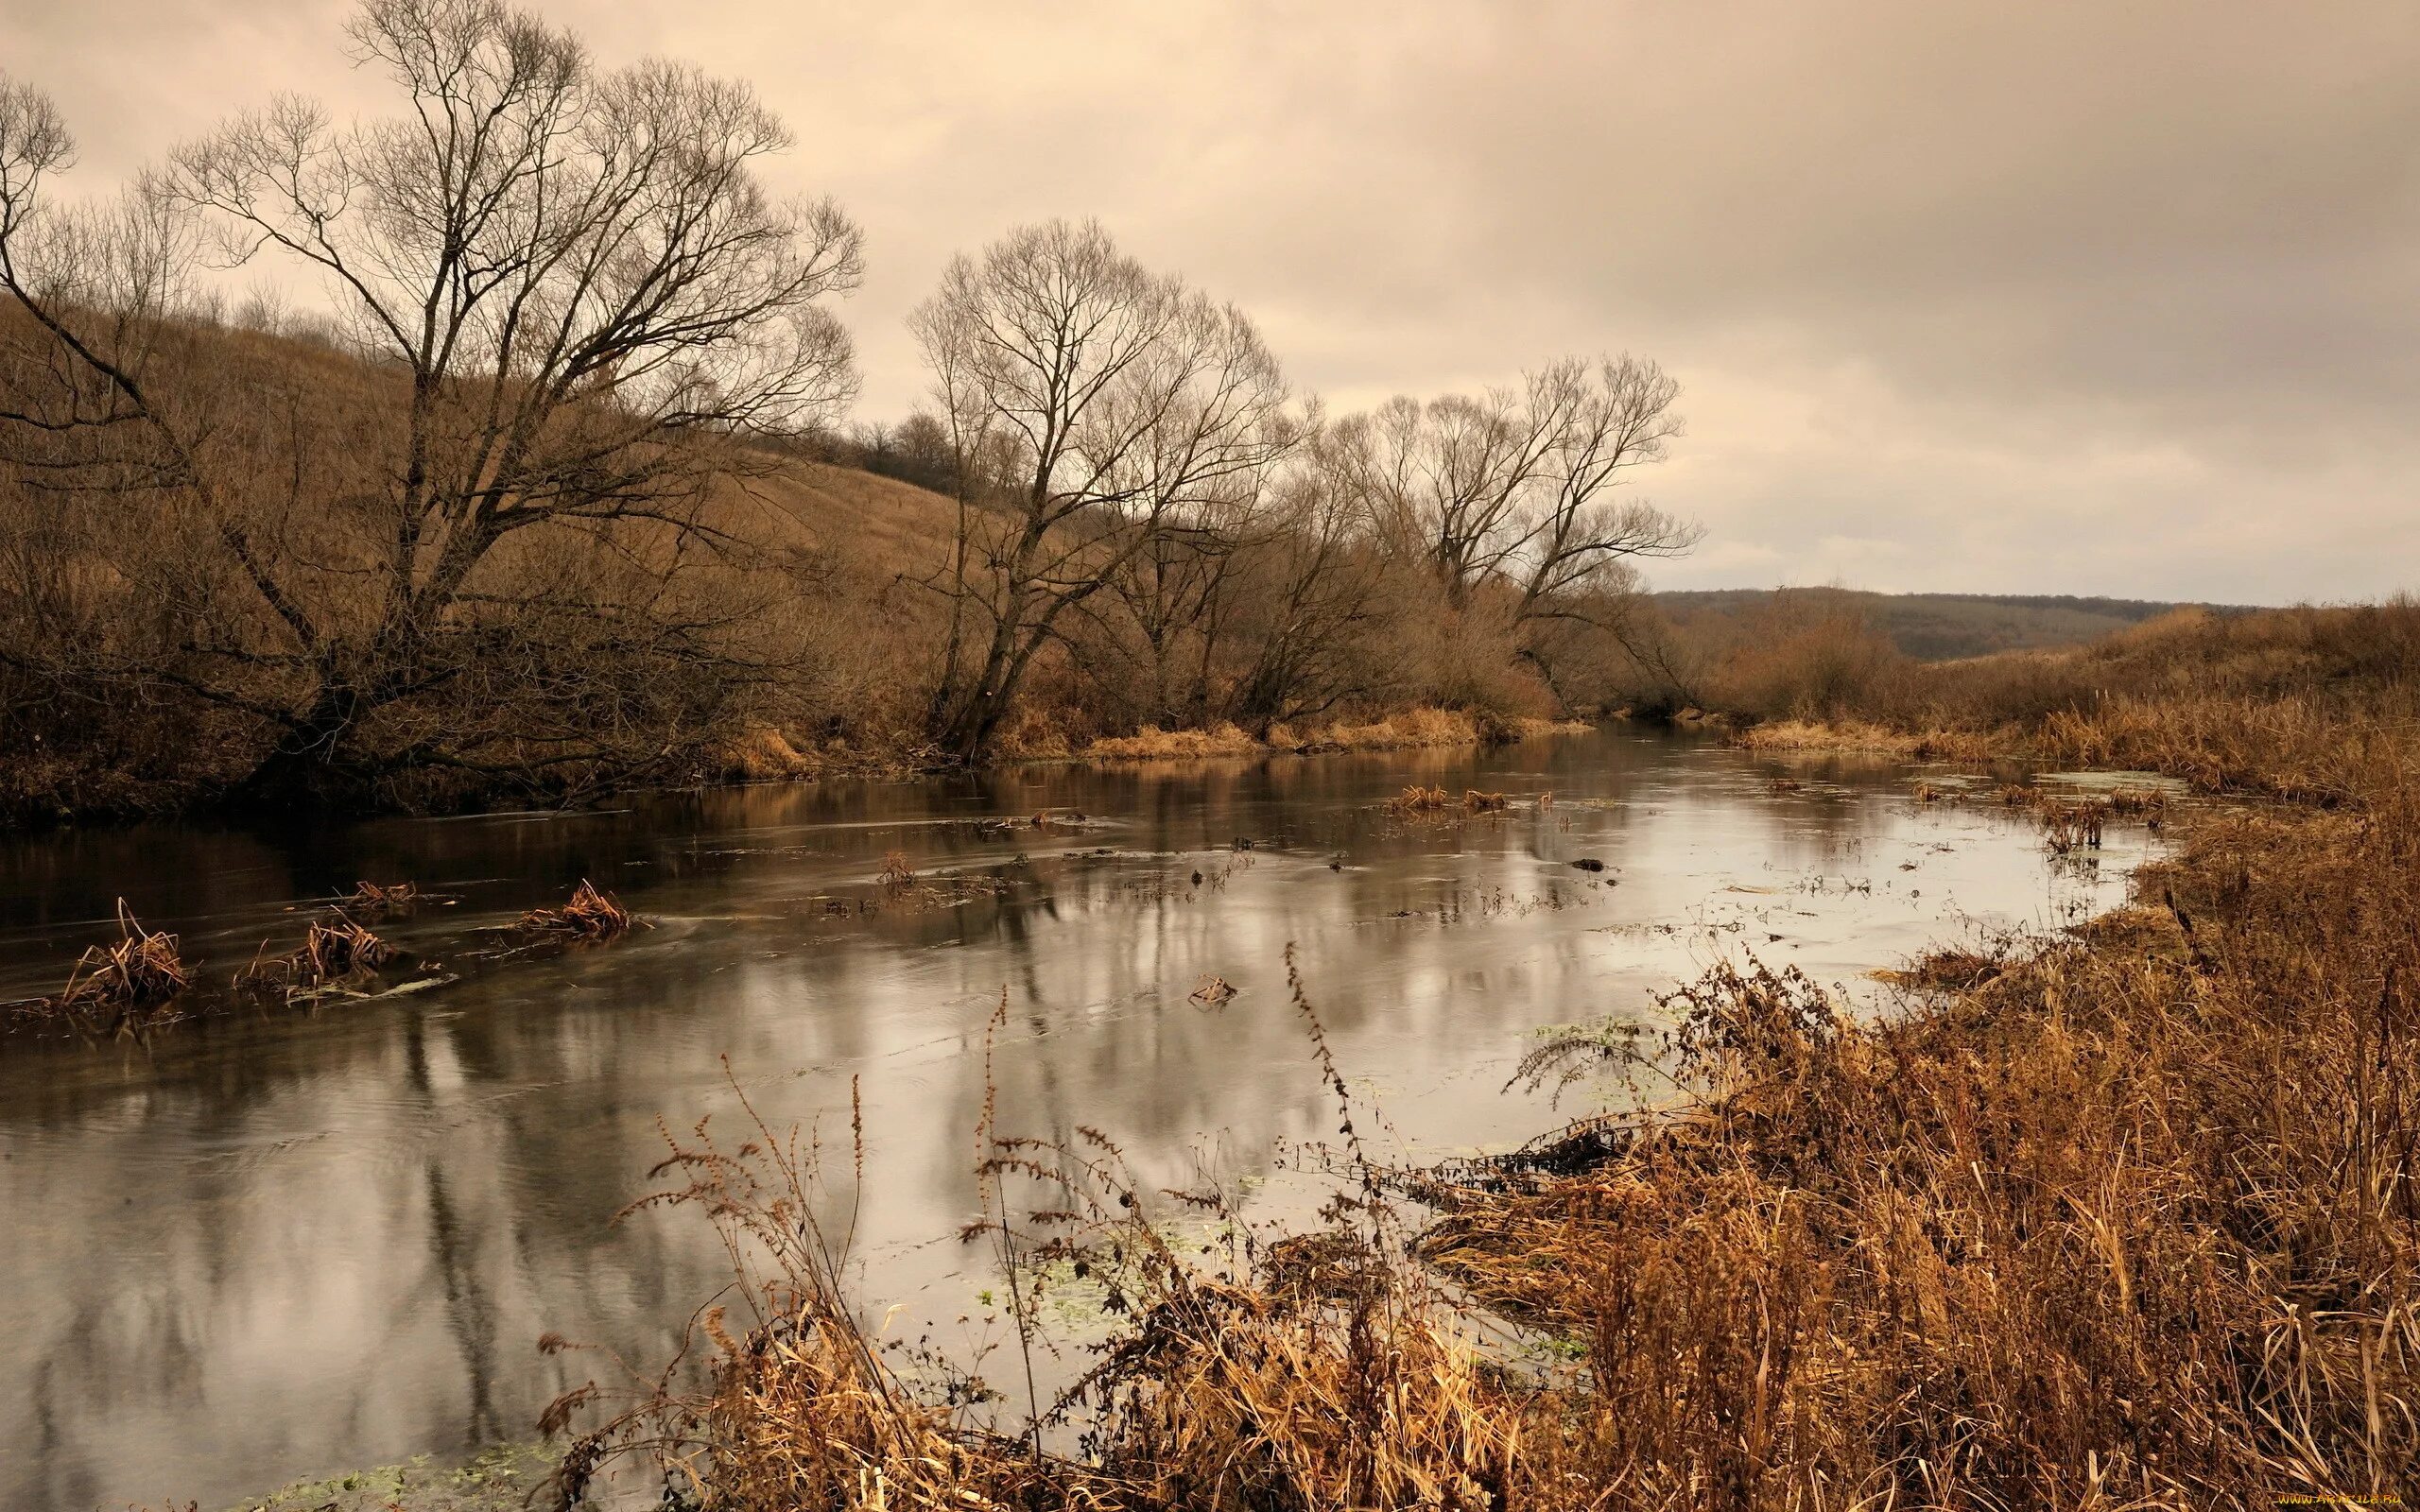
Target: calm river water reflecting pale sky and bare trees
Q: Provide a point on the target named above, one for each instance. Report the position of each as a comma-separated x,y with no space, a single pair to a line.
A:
287,1245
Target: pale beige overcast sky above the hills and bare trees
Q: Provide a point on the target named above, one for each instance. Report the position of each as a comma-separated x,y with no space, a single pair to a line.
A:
2012,299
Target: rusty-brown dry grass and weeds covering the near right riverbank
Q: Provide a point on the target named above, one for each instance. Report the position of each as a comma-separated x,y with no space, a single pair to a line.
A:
2124,1218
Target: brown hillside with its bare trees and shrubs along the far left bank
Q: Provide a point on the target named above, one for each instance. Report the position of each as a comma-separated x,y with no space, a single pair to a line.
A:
529,502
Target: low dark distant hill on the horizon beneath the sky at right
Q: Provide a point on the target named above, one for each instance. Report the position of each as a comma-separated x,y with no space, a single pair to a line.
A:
1952,625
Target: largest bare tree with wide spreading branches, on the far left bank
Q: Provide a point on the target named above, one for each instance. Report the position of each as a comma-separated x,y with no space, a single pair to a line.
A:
580,289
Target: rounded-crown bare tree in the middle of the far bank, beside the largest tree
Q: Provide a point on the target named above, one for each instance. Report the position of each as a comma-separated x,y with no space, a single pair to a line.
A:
1093,405
